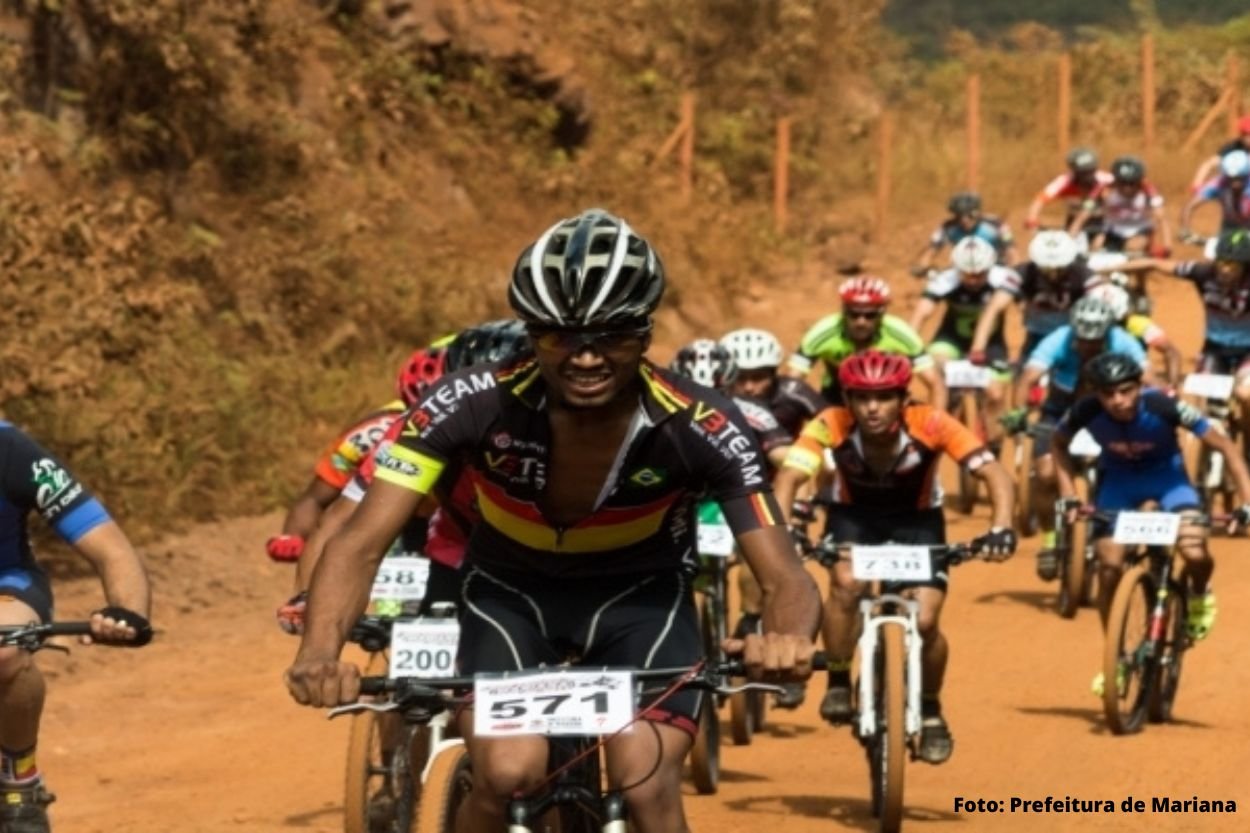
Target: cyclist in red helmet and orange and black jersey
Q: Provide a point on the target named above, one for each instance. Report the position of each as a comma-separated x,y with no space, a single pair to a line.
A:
887,491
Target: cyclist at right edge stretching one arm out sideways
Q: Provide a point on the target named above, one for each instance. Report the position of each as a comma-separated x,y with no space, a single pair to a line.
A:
1224,286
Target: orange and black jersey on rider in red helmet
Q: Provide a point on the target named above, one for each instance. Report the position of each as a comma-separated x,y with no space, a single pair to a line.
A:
912,483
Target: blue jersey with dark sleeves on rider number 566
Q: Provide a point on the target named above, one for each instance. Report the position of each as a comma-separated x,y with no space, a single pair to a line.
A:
1146,442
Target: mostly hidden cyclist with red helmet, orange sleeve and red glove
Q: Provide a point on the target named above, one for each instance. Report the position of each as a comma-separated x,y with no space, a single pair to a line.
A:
341,461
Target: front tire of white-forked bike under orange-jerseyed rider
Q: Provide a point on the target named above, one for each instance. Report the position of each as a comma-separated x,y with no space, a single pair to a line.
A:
892,741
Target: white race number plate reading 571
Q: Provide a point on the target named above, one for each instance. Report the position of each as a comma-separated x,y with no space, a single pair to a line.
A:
561,702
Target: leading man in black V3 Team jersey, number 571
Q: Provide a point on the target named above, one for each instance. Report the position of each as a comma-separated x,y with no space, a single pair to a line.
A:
559,571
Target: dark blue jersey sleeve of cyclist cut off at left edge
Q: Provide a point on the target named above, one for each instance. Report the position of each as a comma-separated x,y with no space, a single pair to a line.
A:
33,480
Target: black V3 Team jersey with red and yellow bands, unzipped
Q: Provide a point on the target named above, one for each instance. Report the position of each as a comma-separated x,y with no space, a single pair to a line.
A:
686,441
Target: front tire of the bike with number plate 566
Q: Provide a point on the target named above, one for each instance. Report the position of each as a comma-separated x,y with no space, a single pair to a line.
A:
1126,644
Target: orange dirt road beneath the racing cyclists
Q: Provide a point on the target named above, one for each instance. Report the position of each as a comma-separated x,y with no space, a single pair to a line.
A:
197,734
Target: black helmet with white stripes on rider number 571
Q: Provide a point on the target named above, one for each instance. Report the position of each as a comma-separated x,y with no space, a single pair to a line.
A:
592,270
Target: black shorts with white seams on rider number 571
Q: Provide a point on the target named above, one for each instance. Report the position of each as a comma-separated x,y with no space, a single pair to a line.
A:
511,622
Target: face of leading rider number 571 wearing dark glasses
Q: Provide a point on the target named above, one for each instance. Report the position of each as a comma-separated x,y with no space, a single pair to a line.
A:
589,368
